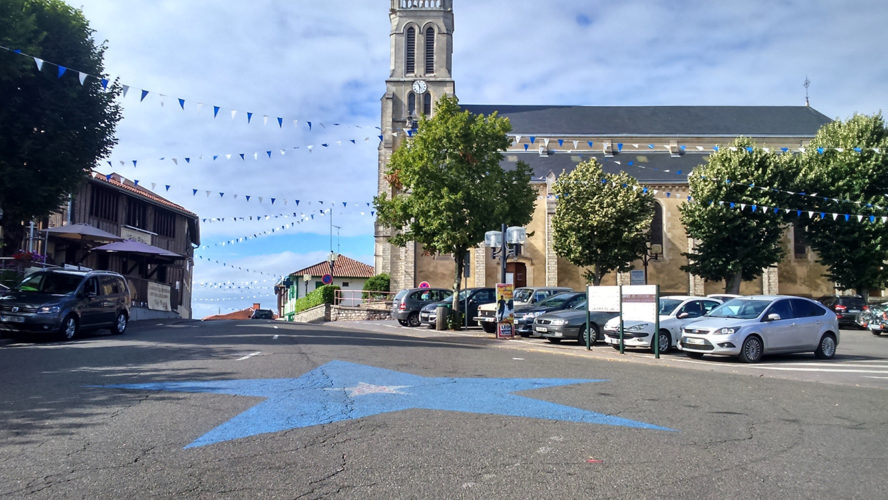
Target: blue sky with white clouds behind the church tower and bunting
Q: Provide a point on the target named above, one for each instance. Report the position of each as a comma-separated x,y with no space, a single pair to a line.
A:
326,63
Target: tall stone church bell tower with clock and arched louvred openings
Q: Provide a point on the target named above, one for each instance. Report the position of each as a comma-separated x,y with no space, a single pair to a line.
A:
421,43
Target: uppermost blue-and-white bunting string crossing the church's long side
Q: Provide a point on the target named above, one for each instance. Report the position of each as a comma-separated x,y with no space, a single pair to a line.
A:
675,150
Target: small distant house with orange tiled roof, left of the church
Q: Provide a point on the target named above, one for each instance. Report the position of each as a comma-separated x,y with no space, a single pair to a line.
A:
346,273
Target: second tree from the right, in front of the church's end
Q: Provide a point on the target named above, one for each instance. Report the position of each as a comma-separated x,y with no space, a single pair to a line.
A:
732,216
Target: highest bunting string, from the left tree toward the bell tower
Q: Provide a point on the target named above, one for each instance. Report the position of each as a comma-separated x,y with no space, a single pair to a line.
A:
82,76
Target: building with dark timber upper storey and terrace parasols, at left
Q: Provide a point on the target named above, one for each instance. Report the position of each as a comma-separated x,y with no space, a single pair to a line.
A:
114,224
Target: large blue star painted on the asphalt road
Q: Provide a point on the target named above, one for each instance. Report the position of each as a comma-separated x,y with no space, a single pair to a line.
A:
340,390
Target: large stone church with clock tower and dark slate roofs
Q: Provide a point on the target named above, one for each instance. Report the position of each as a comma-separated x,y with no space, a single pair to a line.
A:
658,145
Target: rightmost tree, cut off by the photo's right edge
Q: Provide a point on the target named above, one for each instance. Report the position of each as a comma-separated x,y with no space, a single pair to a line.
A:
848,182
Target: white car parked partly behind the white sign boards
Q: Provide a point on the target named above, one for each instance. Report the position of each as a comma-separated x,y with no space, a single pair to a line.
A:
675,312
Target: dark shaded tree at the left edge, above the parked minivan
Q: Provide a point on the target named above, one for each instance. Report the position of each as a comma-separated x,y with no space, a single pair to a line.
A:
52,129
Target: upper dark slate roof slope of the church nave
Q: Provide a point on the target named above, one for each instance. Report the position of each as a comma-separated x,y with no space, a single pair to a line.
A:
671,121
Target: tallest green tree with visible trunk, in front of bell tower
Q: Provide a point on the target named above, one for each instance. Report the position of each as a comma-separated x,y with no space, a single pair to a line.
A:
449,185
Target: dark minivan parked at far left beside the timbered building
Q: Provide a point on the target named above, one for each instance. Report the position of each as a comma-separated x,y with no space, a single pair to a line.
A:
64,303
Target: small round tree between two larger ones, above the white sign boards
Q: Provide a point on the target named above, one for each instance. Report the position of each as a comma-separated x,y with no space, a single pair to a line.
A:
602,221
